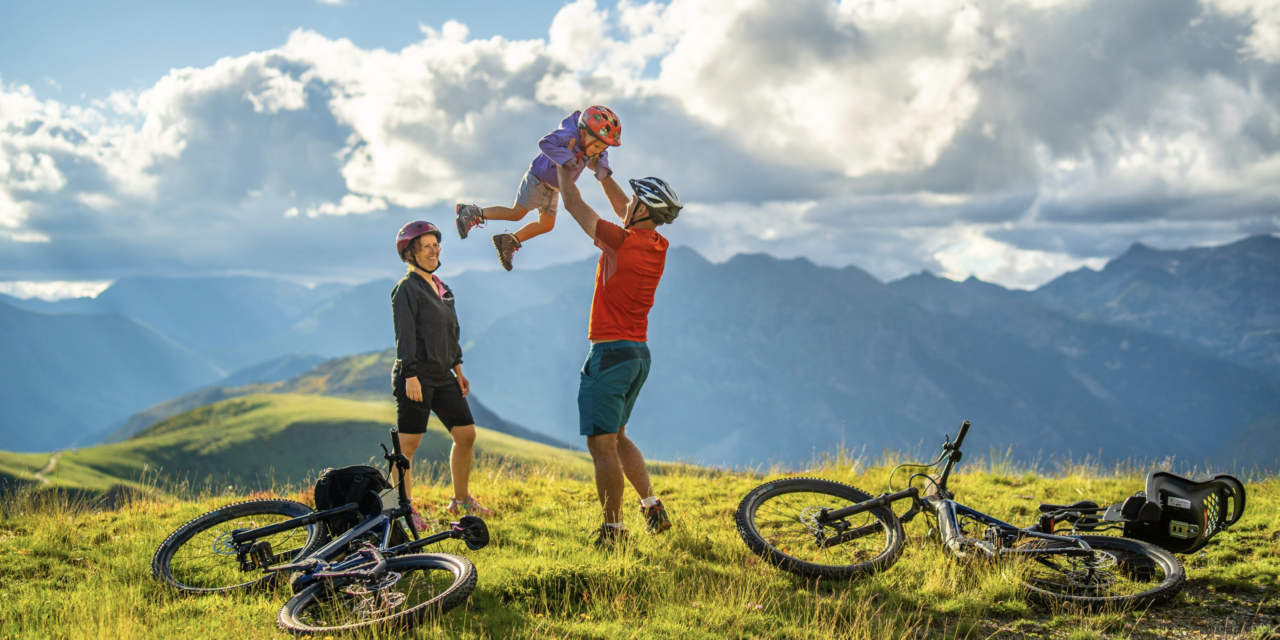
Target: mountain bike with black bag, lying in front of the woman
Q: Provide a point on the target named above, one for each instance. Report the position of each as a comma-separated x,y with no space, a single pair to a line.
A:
351,566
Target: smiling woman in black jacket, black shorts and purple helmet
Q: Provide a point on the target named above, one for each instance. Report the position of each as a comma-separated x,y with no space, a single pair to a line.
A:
428,373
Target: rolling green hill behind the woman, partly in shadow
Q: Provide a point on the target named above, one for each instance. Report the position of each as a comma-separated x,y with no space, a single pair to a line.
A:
257,442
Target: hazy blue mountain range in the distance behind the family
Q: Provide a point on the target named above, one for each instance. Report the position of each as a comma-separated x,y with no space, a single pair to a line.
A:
1160,354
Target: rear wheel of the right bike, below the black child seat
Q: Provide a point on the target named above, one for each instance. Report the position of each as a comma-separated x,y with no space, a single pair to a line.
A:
1122,573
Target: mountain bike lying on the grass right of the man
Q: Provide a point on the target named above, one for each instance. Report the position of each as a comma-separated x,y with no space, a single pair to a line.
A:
819,529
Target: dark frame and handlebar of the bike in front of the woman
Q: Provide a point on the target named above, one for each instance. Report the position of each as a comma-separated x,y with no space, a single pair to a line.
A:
255,554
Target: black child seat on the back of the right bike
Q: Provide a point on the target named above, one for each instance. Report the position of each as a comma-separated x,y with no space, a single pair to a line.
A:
1178,514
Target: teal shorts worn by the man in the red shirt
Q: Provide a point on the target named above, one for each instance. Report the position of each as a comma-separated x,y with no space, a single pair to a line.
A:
611,382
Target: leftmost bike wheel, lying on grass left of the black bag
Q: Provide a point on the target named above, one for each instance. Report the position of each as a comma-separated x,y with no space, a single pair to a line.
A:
200,557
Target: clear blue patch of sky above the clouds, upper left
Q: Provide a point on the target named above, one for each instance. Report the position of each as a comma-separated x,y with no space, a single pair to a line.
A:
93,48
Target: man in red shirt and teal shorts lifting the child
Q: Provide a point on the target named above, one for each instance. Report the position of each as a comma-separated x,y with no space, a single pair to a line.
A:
633,258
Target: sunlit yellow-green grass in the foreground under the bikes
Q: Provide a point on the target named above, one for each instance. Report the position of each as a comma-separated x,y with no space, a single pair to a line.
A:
75,573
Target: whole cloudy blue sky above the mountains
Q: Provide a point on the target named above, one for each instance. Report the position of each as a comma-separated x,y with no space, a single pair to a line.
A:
1011,140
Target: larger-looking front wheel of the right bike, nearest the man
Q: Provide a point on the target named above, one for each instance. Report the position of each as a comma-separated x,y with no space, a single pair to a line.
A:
779,522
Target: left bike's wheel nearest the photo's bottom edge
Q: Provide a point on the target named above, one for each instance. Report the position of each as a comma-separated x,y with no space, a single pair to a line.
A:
414,589
